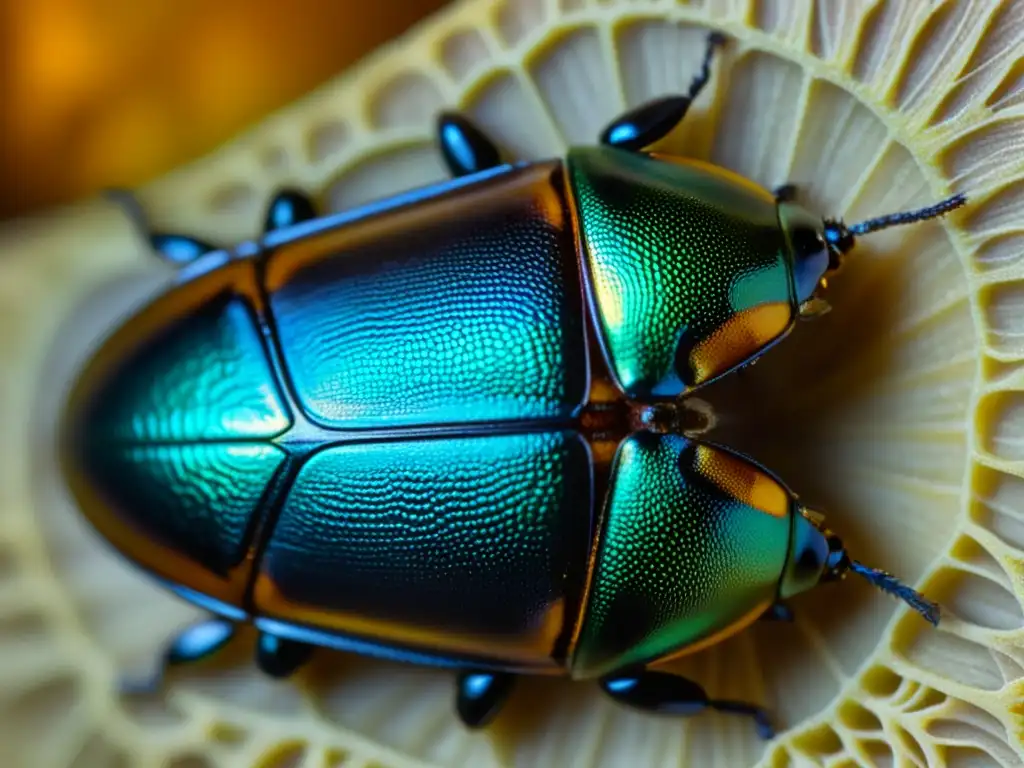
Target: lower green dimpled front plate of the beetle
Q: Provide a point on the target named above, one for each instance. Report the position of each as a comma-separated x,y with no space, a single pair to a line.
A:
679,559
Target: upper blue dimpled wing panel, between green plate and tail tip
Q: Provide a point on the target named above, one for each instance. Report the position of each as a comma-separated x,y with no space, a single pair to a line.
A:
471,315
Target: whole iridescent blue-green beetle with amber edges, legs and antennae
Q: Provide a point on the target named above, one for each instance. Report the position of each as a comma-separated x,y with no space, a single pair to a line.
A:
450,428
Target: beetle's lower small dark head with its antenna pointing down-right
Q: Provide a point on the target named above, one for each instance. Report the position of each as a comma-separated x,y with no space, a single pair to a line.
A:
818,557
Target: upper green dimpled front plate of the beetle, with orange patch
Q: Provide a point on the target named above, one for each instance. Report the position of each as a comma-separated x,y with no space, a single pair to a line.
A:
676,257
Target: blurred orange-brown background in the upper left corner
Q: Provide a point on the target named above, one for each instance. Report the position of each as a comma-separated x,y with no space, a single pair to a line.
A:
114,93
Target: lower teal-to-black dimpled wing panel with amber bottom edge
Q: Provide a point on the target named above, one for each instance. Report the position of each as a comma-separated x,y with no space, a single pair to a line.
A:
481,537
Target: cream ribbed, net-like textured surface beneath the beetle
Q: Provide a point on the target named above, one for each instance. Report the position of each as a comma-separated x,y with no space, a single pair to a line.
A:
902,412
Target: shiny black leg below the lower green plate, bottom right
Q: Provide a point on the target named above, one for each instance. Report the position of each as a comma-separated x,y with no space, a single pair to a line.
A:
670,695
